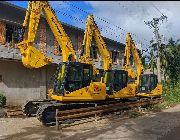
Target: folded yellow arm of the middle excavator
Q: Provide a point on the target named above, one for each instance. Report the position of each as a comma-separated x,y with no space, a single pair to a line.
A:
92,30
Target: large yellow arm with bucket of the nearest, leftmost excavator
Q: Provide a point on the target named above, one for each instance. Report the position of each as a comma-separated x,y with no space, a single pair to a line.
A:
32,57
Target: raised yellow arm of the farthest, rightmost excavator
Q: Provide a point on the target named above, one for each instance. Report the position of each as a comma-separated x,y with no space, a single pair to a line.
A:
131,48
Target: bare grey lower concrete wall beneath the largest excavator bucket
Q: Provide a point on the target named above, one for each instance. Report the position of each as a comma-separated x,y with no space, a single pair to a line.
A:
20,83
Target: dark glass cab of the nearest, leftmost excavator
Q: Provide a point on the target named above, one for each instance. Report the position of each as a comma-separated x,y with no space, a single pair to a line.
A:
72,76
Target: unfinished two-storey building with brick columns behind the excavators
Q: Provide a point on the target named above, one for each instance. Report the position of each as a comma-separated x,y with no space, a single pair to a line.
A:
19,83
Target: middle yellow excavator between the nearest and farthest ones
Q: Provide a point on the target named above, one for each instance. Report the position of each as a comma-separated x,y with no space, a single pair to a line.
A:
115,80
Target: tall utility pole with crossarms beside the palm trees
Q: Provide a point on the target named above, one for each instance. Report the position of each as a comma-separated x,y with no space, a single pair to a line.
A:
154,23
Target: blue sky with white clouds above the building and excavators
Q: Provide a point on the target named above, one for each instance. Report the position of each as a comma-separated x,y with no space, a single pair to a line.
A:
116,18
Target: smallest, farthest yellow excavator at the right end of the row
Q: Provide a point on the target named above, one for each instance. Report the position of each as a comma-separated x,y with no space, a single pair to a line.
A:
147,85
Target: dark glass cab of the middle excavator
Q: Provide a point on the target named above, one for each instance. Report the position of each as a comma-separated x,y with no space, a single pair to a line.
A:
115,80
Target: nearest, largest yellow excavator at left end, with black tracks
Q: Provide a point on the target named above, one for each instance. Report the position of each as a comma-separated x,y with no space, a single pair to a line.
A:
73,81
